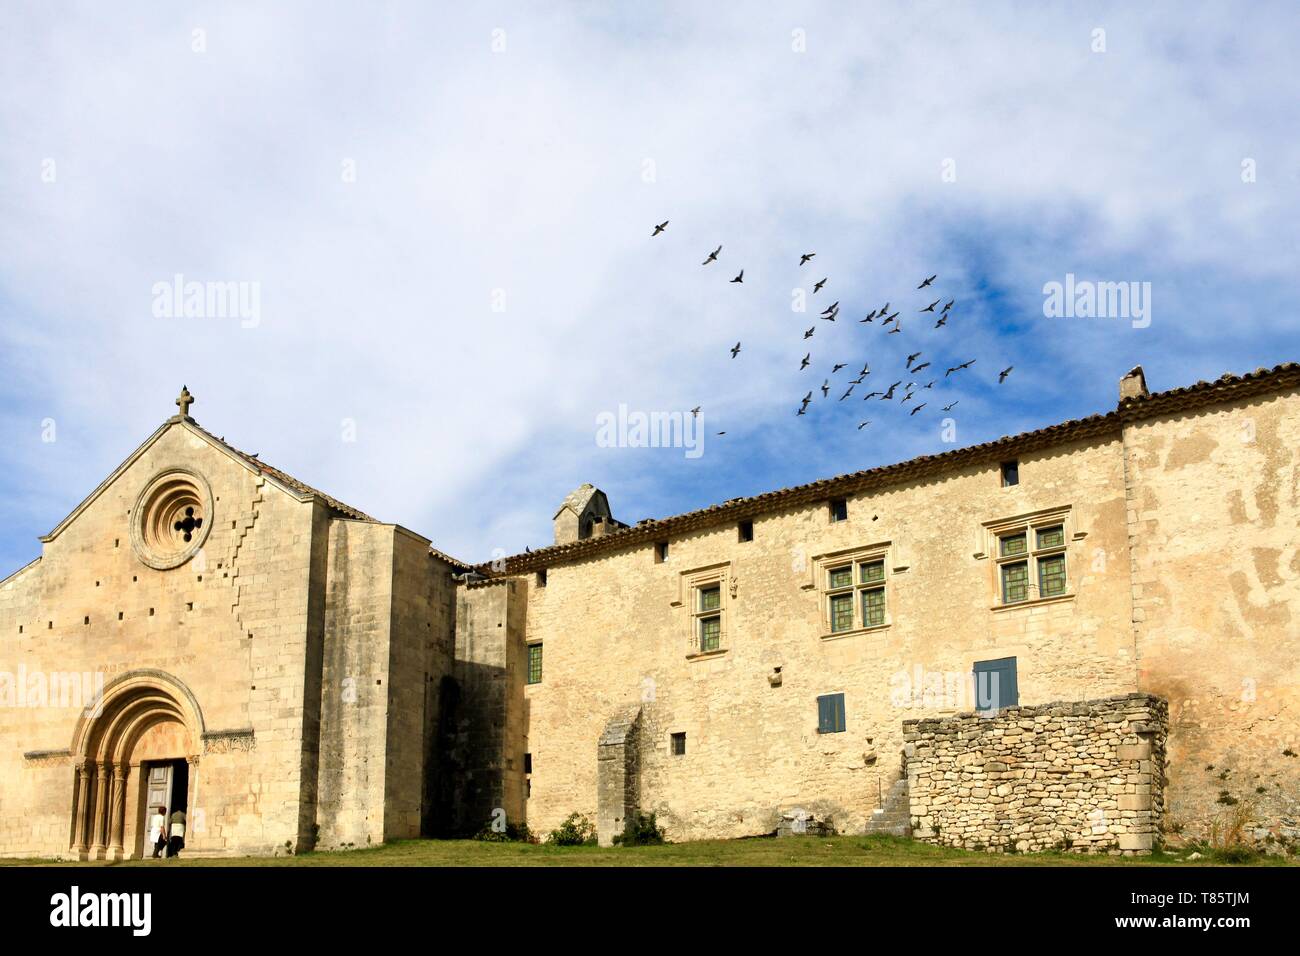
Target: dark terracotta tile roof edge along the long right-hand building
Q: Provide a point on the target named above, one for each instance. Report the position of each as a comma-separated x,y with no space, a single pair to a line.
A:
1229,388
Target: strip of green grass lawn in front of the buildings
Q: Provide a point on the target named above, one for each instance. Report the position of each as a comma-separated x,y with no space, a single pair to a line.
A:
795,851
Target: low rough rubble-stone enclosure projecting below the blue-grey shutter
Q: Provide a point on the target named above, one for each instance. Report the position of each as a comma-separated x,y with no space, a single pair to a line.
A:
1078,776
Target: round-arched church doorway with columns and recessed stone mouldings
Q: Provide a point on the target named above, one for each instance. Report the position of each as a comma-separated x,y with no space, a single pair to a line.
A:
135,752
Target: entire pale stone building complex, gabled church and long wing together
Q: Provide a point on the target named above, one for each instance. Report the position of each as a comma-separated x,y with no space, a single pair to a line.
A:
207,633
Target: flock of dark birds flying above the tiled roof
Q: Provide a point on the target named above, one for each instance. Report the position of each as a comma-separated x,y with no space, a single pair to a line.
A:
886,318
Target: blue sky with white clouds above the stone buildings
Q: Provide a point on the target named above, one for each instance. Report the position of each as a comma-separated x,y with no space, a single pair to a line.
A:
521,154
